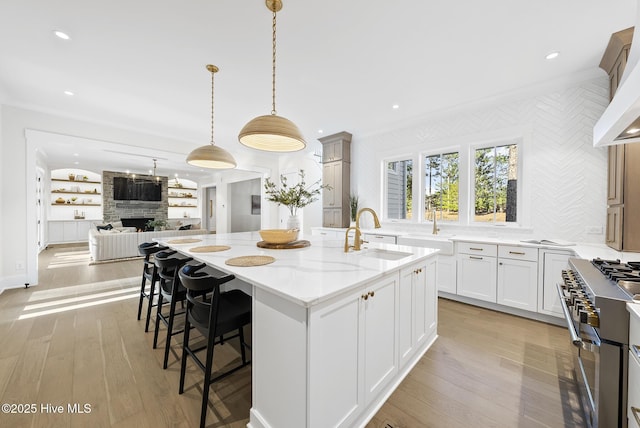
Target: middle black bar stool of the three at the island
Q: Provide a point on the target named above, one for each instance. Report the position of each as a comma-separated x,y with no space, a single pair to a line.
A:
171,292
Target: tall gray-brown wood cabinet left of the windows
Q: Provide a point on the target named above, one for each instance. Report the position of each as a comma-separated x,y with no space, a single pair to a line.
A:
336,172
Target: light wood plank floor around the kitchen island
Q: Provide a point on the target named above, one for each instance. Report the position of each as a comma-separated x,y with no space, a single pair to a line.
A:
74,339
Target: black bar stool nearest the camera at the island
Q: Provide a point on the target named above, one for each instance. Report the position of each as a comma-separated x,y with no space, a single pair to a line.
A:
213,314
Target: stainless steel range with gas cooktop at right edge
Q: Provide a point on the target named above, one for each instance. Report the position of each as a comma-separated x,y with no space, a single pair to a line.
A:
593,296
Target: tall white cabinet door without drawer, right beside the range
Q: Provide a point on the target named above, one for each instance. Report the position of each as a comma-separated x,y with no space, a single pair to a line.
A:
550,270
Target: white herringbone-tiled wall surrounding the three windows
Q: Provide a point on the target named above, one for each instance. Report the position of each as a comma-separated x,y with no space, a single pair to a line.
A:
564,176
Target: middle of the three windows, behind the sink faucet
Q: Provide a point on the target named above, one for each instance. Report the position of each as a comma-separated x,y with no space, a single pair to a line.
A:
441,173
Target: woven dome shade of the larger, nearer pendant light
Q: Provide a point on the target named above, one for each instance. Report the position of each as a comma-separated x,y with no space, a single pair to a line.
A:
272,133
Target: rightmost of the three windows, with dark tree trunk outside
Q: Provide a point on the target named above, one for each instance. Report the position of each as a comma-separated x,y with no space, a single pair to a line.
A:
496,179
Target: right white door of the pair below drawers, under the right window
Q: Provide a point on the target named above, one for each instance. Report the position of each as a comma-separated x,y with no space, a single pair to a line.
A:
518,284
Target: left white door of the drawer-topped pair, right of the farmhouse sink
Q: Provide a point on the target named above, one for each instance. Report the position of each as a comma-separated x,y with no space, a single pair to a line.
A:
477,277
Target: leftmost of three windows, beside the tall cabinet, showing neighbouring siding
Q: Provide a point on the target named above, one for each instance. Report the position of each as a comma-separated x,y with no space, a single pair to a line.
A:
399,188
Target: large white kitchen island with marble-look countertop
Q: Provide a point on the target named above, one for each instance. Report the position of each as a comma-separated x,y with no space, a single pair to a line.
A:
333,333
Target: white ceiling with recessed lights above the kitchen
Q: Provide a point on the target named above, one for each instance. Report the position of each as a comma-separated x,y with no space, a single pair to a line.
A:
341,65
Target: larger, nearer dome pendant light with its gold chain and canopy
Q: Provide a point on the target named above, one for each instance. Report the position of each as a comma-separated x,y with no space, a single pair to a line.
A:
272,133
